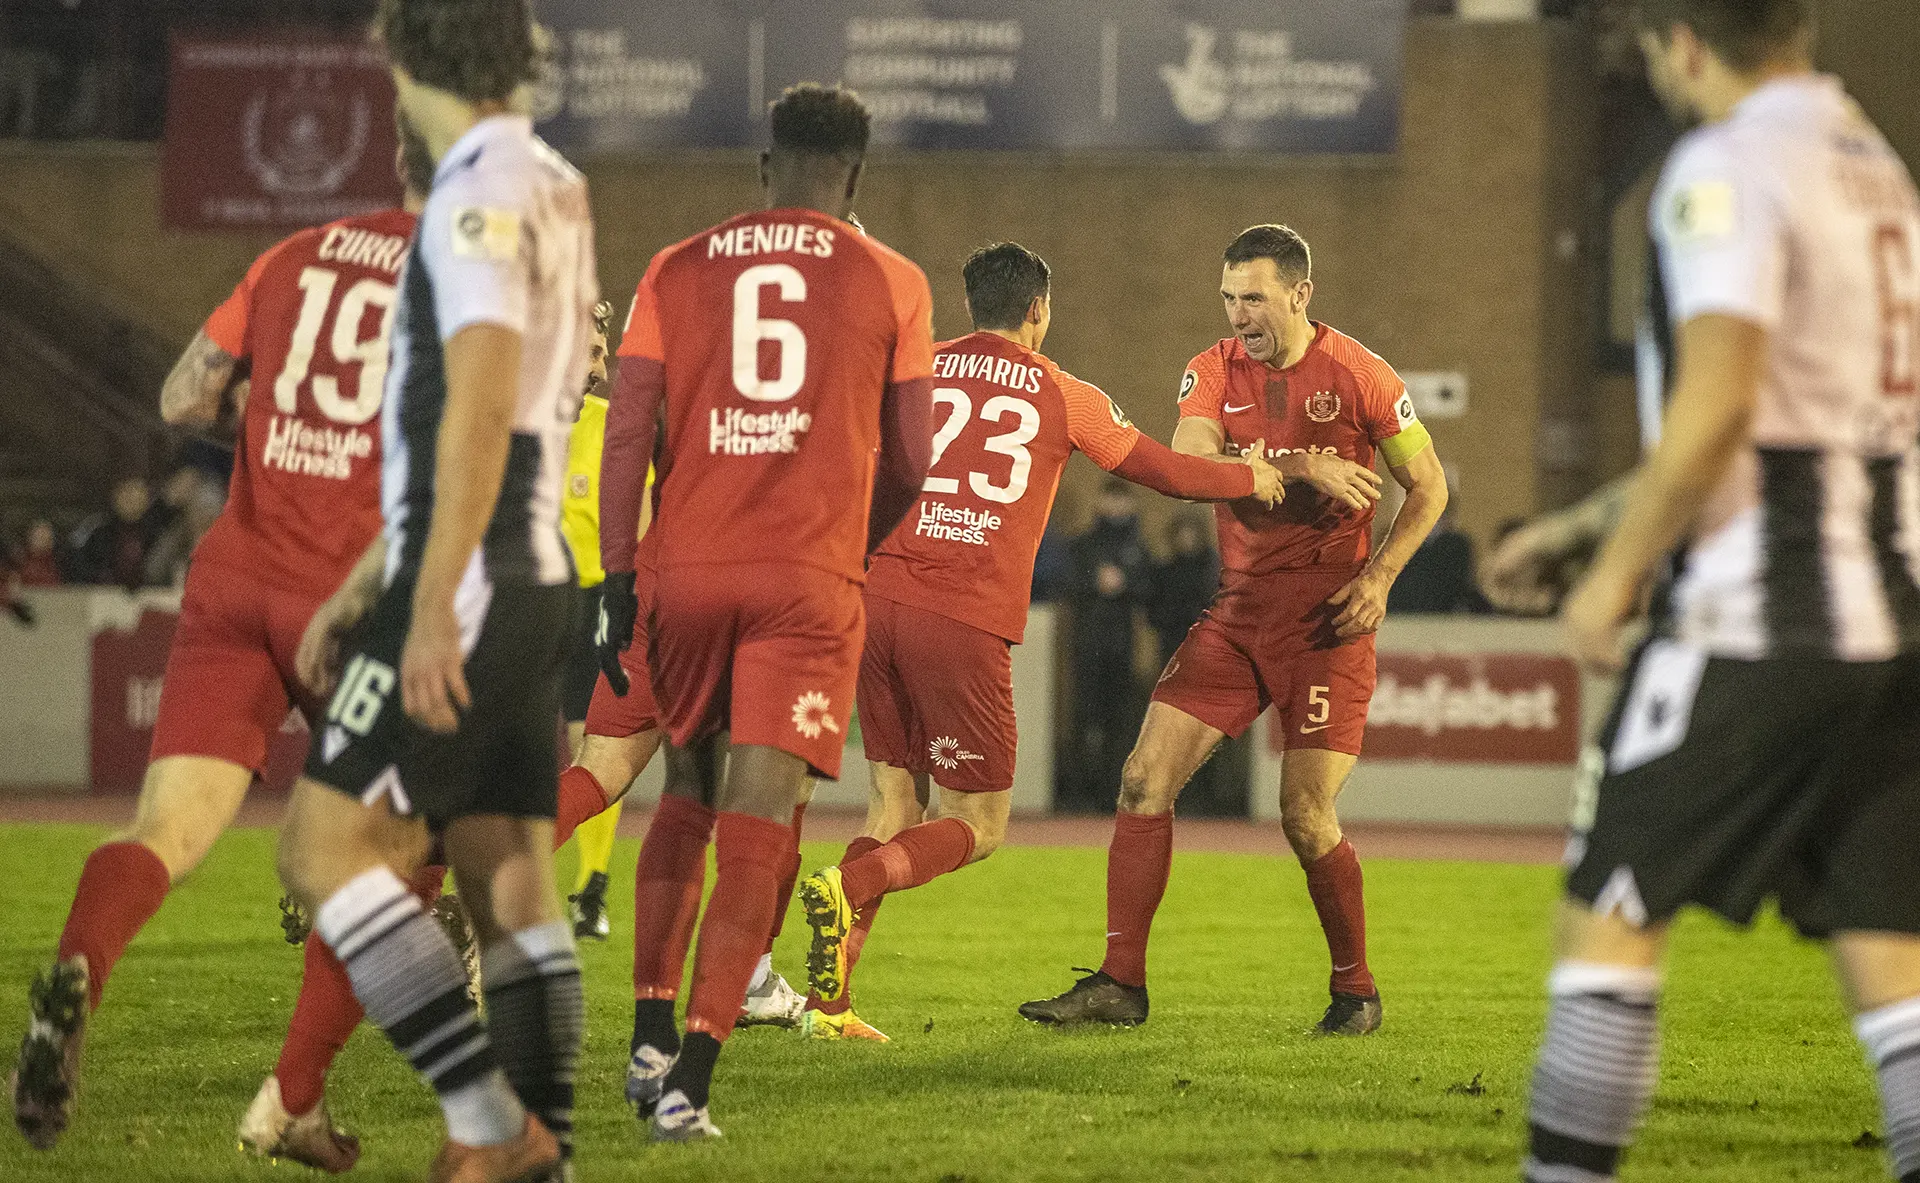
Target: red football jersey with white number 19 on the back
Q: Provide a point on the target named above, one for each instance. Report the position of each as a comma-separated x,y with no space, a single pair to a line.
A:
312,324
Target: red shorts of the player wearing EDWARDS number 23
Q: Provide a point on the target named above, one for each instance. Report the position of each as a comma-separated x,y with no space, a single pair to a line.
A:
938,698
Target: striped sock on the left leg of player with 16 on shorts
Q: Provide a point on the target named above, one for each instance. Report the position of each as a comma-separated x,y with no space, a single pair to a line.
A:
412,982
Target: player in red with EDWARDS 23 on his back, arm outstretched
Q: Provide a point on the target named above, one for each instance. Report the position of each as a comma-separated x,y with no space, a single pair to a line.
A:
948,600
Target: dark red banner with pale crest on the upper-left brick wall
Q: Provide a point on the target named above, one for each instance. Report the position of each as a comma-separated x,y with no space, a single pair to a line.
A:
276,133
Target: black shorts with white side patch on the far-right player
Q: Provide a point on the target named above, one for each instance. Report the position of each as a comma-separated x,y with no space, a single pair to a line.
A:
1727,783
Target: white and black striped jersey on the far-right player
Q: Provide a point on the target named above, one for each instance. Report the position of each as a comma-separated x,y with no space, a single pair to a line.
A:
1794,214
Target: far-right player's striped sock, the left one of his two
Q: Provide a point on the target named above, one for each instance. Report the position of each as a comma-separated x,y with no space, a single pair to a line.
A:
1596,1071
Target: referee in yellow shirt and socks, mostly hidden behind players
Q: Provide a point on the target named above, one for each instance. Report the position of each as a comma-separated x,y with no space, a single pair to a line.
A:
581,525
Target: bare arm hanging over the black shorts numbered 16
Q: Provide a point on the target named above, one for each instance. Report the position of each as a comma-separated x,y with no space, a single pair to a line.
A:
469,466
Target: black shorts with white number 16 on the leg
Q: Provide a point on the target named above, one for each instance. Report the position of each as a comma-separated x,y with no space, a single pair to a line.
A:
504,760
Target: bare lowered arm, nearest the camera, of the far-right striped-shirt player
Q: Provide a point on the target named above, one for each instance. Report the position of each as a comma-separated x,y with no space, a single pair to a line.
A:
1708,423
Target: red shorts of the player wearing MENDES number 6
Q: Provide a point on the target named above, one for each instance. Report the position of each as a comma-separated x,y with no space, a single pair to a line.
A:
765,652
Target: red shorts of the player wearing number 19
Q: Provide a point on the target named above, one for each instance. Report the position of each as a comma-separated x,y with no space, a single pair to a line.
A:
231,673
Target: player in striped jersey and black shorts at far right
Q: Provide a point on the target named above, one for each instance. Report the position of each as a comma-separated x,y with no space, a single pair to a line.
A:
1765,738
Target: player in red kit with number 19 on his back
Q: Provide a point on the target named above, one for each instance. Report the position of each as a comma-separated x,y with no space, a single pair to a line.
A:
299,354
